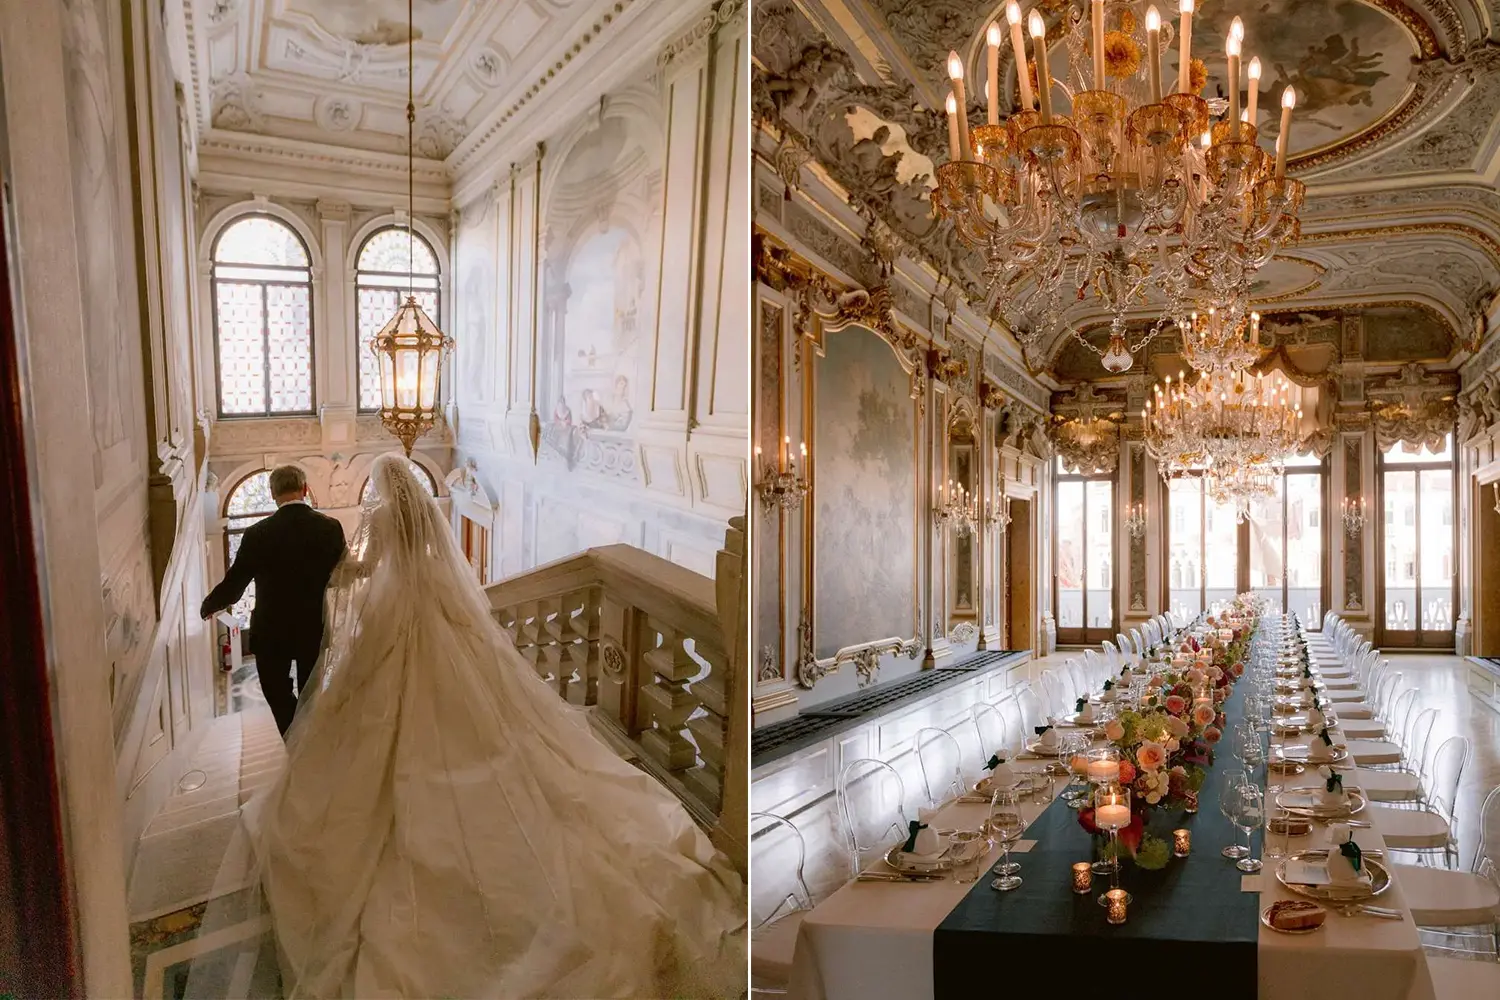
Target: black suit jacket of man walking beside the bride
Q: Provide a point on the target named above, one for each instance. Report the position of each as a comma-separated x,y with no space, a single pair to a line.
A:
290,557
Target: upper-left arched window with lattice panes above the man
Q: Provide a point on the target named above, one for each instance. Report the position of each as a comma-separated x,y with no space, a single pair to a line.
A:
263,320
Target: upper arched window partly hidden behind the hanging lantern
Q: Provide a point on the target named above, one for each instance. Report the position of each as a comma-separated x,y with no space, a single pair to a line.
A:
391,262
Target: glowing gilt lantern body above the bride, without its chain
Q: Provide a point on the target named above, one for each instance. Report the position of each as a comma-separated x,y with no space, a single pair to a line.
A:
410,352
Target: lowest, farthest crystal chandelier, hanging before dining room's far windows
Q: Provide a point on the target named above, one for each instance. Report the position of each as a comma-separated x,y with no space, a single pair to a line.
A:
1229,427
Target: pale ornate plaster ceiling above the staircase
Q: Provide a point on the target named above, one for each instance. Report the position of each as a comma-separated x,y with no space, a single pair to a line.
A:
335,71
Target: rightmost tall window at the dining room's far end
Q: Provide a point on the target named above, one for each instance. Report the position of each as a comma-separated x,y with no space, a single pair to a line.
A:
1417,488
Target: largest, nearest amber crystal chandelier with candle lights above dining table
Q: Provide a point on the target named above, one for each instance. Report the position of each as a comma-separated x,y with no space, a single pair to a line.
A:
1135,191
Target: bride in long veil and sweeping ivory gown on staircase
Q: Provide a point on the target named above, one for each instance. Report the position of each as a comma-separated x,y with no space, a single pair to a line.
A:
448,827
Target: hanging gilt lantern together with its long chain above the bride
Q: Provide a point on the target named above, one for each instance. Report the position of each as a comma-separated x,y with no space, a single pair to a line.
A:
410,347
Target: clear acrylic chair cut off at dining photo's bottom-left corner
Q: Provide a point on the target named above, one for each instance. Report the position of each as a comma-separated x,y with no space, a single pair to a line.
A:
779,900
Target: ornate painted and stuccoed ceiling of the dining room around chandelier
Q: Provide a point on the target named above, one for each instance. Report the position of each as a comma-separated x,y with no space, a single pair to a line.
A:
1397,137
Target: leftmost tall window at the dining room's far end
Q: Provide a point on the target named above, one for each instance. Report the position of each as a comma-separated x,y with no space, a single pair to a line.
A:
1085,546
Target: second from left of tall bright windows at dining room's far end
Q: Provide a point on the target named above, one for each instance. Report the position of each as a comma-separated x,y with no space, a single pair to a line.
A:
1202,548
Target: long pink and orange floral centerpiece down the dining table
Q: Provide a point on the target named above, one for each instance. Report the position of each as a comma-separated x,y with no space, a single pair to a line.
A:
1166,741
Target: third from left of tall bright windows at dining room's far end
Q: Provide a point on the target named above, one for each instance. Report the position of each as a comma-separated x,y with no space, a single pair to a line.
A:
1286,542
